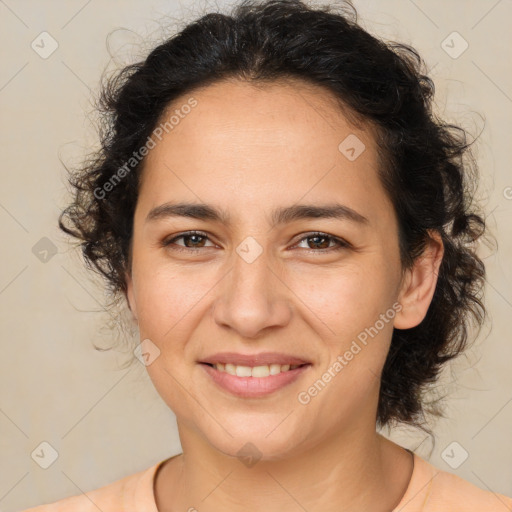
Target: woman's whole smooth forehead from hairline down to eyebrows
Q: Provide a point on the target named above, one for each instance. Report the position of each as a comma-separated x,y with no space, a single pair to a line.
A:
282,141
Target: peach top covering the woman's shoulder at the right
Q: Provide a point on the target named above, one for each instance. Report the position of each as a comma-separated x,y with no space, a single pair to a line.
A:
444,491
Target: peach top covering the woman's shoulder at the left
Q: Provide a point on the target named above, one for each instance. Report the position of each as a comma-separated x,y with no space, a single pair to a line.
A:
134,489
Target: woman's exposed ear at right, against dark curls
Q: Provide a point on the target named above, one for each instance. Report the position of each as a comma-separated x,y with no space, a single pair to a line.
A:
419,284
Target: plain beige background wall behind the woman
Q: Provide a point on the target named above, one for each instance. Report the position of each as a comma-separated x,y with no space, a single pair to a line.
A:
106,422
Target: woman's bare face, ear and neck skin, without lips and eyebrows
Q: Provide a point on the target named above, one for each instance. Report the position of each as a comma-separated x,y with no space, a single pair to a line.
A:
248,150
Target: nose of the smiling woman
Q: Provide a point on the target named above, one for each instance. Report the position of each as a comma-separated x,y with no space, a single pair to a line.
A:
252,298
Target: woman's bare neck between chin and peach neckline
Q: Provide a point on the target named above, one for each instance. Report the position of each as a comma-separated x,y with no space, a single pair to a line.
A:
350,472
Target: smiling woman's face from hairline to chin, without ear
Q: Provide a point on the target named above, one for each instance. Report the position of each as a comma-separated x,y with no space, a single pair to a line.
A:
257,278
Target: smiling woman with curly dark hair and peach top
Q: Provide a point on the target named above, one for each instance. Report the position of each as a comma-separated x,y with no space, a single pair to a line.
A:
293,232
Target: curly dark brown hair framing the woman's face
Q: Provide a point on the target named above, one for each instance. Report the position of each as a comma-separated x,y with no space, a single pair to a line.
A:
426,164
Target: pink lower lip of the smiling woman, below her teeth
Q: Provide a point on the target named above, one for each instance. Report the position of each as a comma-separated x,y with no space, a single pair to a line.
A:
253,387
